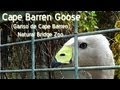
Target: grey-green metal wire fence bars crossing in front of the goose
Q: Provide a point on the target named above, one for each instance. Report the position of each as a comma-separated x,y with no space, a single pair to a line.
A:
76,68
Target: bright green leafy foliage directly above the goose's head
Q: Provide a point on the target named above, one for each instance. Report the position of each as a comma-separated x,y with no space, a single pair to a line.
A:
88,21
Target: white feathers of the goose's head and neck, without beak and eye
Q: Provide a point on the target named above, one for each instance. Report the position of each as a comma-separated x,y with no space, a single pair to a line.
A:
97,53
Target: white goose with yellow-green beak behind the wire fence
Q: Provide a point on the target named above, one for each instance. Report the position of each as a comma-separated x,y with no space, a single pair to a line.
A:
93,50
